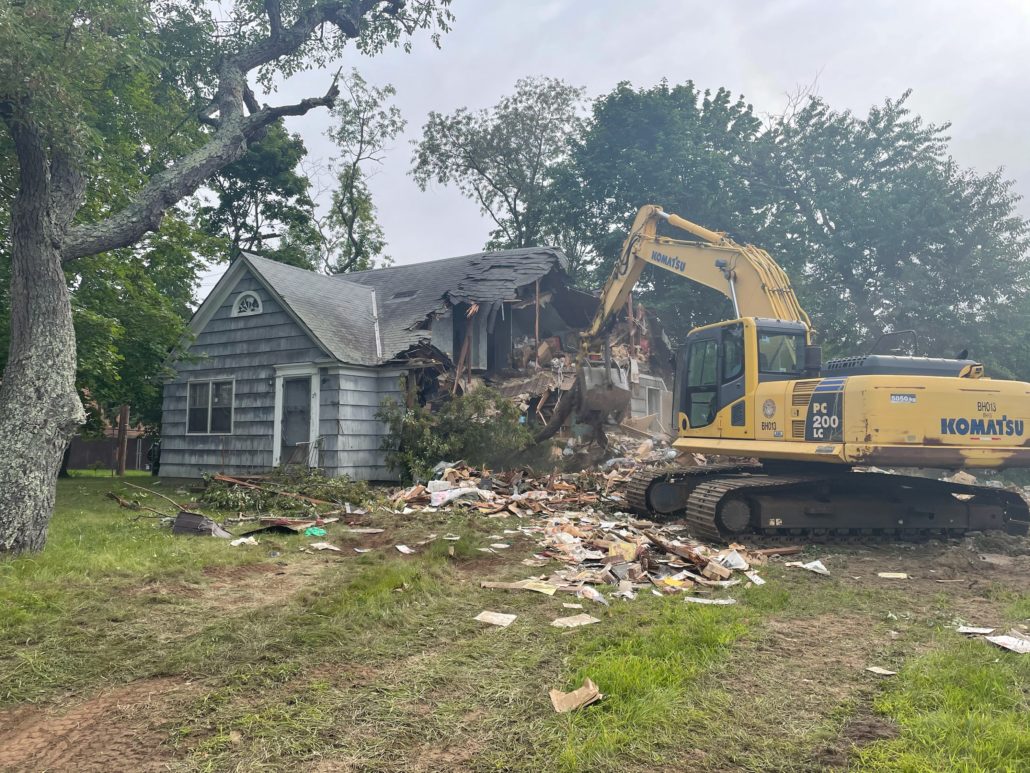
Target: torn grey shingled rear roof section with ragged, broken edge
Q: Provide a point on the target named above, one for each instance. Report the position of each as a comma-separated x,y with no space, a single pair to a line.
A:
407,295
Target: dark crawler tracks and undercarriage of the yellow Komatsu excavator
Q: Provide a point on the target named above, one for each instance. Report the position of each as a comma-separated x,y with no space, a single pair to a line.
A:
730,502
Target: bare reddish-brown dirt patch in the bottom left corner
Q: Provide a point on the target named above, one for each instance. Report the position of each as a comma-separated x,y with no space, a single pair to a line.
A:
118,729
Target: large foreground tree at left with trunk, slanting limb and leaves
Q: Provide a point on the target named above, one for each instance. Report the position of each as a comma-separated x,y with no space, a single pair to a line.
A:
158,90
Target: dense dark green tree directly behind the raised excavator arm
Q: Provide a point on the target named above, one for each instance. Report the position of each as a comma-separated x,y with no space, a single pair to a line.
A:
684,150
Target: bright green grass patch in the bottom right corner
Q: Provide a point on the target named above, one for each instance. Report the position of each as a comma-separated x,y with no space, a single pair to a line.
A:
963,708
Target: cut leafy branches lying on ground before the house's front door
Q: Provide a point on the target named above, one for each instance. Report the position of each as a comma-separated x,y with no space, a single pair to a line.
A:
303,481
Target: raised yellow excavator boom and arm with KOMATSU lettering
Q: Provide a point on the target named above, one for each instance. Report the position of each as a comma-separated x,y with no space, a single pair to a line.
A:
746,275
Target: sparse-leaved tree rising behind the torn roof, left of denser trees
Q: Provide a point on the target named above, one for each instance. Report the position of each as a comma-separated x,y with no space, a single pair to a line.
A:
503,159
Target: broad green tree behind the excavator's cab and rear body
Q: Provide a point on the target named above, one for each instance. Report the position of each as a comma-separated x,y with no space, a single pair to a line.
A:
885,231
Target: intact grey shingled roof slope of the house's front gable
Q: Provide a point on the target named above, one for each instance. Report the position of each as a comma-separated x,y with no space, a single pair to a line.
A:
339,315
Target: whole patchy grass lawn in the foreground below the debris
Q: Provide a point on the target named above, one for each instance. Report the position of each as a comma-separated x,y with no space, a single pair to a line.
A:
124,648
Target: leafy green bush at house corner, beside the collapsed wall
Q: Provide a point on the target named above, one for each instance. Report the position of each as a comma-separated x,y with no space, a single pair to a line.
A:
482,428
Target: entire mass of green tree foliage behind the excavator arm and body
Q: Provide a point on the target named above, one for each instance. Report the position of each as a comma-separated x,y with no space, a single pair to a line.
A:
879,228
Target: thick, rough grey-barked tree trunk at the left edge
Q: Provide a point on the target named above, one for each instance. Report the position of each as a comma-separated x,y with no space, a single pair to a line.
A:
40,409
